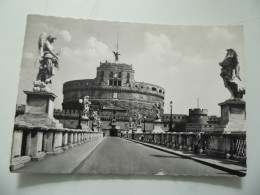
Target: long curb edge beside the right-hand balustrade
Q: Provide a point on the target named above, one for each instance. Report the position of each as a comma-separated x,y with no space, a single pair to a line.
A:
229,170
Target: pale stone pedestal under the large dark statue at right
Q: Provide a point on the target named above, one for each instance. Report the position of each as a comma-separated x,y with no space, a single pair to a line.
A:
233,116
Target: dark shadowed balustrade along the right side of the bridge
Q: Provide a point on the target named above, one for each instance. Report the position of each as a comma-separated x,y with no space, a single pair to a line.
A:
218,144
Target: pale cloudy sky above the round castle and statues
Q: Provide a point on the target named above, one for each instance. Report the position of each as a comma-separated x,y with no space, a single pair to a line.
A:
184,60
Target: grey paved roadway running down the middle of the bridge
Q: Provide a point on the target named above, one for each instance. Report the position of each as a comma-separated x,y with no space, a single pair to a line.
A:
119,156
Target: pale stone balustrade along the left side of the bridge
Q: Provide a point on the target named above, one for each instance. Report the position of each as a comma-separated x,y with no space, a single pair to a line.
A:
34,142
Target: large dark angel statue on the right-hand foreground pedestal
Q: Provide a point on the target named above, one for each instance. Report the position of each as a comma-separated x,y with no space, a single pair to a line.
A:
230,72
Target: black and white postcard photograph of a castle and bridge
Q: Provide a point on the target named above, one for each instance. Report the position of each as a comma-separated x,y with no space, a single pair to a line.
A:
125,98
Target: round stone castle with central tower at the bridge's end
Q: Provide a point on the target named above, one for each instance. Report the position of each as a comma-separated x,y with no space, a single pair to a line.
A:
115,89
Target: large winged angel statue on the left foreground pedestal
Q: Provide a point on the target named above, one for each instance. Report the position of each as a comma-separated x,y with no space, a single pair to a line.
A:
47,60
